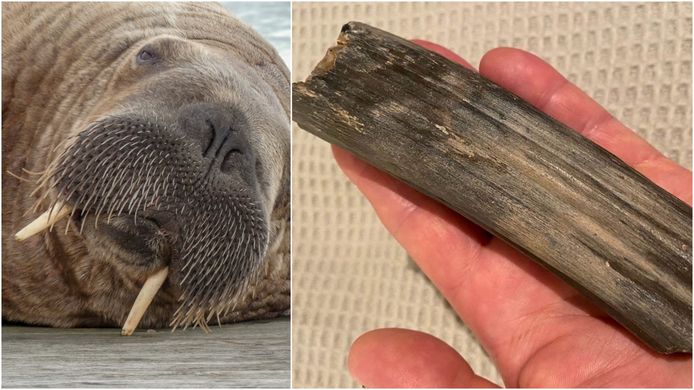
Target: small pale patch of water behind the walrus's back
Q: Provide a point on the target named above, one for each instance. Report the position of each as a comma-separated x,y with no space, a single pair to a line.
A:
271,19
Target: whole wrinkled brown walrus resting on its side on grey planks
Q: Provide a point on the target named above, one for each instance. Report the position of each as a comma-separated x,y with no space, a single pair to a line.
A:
154,138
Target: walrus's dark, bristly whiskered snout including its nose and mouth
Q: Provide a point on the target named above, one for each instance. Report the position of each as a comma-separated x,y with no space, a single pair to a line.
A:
199,173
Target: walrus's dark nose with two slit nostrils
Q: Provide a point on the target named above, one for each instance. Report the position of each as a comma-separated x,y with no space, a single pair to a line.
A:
222,134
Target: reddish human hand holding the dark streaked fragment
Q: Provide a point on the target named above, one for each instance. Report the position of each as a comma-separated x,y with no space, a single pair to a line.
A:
538,330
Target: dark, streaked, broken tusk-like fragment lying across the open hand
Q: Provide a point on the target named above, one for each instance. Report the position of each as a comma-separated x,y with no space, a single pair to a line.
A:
554,195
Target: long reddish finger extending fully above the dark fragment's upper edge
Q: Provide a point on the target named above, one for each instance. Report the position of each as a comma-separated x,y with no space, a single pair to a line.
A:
539,84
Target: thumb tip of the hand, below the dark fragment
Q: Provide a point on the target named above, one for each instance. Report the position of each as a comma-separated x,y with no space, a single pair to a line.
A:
406,358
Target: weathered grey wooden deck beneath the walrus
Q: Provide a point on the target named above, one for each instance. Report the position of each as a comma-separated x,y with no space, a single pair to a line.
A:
251,354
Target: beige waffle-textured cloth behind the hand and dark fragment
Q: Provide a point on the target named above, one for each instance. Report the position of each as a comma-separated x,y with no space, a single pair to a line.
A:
349,276
